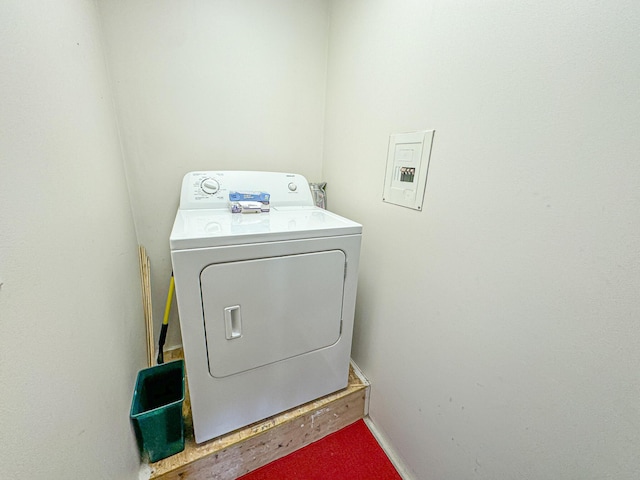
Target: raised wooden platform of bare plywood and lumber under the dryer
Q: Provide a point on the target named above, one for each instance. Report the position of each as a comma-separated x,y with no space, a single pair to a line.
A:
239,452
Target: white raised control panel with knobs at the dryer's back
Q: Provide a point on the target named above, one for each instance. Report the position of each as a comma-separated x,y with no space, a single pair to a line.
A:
210,189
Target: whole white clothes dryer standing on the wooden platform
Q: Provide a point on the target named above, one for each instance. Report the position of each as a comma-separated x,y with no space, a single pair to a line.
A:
266,300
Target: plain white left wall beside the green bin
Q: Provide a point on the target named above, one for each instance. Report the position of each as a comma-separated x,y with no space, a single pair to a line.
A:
71,326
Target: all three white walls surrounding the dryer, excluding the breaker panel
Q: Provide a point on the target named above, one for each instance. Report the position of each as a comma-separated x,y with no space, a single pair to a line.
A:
499,325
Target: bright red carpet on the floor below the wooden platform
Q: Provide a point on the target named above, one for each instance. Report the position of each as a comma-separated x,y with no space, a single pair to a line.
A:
348,454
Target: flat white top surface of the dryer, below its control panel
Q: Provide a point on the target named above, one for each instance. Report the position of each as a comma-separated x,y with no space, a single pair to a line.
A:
218,227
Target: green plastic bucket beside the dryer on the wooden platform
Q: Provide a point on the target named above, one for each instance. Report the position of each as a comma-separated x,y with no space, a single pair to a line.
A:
156,410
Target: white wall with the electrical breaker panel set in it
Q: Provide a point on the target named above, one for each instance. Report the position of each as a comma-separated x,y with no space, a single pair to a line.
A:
499,326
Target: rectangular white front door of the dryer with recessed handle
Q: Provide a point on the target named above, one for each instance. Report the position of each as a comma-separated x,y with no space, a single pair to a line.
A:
261,311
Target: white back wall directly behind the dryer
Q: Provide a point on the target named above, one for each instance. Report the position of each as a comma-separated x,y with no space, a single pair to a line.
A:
212,85
